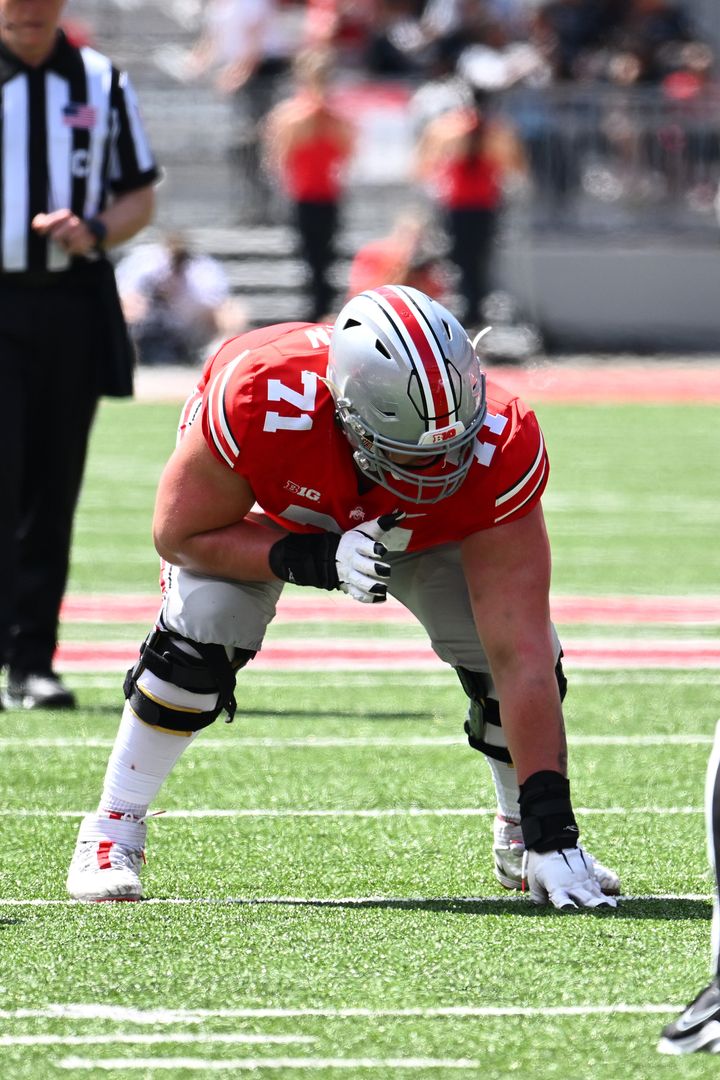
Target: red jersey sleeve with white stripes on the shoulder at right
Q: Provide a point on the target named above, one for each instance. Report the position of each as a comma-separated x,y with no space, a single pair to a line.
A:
524,471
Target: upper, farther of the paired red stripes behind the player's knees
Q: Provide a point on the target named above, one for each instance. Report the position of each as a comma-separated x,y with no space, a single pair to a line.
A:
686,611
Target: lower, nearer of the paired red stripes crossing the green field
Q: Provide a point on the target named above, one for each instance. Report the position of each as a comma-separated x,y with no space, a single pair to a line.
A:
393,656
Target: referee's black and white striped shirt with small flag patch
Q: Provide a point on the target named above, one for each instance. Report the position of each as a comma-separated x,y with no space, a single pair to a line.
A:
71,133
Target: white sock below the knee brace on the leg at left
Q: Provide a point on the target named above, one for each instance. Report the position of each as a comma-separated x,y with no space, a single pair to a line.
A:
142,759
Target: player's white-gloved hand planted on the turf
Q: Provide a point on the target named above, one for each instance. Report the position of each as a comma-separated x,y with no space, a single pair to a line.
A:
564,879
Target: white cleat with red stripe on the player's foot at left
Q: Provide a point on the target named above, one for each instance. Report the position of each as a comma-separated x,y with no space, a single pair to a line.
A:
107,859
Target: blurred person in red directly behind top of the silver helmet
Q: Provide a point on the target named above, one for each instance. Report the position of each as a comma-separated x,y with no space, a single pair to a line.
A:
409,255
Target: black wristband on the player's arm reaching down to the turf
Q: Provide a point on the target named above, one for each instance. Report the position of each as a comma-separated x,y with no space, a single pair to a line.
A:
547,817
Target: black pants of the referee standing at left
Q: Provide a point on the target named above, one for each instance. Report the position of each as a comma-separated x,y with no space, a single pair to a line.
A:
49,396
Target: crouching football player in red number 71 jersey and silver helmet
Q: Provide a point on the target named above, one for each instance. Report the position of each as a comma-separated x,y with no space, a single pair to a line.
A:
371,457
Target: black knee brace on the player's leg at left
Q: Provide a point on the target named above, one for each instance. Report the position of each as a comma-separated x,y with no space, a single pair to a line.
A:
207,669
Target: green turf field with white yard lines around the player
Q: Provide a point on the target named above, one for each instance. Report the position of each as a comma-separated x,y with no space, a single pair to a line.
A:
321,892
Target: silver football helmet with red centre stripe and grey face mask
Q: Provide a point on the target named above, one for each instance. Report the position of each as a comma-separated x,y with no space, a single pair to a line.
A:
410,391
